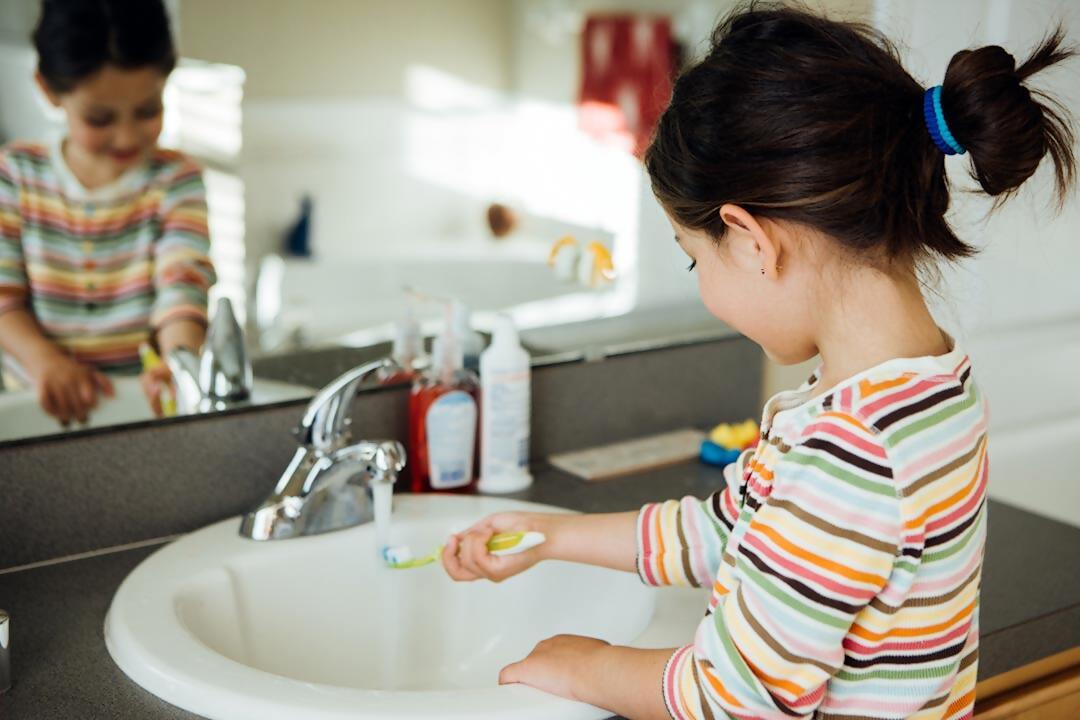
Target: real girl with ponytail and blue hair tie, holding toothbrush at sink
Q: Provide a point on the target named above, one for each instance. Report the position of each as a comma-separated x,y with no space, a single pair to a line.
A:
803,171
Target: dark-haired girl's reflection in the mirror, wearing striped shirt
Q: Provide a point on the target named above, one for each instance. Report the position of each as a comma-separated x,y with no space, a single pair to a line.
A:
103,236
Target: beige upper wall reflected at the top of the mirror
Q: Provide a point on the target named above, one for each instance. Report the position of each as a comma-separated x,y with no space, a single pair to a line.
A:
356,49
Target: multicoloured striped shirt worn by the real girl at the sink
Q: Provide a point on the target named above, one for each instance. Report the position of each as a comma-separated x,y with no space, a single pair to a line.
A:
844,556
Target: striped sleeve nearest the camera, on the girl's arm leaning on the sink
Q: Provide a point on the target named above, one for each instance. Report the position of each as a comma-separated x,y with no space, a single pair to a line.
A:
818,550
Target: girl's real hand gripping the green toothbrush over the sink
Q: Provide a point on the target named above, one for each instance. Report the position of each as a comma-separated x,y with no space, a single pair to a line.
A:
466,556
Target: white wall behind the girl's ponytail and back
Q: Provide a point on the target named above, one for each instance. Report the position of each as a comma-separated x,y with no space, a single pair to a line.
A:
1016,307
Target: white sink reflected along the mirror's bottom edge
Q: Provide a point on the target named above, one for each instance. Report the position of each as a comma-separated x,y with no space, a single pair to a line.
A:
22,417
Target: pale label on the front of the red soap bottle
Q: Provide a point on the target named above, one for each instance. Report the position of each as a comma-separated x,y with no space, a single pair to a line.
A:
452,438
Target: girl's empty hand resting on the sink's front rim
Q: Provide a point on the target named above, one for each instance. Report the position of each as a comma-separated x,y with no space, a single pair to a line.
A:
557,665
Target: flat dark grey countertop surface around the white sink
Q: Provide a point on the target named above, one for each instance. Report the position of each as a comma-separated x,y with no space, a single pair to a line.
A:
1031,602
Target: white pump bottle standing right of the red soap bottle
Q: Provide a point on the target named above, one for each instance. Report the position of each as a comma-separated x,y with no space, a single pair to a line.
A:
506,385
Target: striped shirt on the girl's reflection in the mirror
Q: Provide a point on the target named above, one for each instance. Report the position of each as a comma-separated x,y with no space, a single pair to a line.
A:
102,269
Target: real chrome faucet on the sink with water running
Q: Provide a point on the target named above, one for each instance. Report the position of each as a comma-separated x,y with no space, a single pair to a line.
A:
329,484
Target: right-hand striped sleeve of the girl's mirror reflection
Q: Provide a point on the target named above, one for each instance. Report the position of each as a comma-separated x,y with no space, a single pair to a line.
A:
183,271
